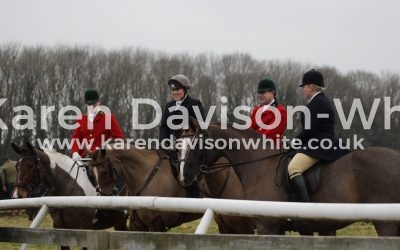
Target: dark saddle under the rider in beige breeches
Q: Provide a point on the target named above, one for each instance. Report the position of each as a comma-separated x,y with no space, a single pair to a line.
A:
312,176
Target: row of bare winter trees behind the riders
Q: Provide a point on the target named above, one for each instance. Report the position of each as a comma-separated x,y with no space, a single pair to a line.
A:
45,76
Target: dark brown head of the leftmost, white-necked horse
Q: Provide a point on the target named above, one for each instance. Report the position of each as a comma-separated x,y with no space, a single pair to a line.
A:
33,173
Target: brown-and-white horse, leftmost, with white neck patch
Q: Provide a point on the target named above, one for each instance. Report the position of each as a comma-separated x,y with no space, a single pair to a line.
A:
48,173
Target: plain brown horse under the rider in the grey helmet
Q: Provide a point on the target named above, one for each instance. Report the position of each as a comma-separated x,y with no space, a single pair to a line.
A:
148,172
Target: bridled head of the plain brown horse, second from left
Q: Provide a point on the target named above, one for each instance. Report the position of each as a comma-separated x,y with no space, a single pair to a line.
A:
106,174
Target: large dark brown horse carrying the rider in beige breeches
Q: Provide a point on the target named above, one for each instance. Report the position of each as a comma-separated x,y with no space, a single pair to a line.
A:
370,175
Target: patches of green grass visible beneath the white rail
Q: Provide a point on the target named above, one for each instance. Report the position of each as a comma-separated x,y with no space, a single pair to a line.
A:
21,220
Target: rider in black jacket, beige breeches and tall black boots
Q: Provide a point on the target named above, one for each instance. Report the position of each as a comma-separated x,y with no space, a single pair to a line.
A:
318,142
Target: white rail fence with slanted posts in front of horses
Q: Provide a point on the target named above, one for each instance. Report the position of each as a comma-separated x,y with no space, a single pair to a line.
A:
290,210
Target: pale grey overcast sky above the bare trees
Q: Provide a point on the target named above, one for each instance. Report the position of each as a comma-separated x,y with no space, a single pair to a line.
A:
346,34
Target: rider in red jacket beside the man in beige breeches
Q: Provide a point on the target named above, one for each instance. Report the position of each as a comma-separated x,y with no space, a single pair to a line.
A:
267,95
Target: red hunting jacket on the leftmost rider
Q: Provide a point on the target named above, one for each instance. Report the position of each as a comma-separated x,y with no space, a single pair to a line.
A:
99,128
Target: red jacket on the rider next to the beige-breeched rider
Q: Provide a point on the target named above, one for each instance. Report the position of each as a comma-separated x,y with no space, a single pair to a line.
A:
268,118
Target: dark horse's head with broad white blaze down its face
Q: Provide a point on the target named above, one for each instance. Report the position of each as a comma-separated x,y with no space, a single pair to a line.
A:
192,156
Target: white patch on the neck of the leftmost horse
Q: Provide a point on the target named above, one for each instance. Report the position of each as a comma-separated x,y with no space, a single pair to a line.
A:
76,172
